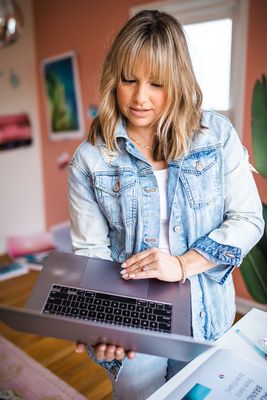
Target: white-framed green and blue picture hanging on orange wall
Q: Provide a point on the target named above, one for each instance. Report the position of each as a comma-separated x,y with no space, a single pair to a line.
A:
63,97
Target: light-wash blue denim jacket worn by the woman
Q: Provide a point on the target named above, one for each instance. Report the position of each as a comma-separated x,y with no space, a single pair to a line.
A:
213,208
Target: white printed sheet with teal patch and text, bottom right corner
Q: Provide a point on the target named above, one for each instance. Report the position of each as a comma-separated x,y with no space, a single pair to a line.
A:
224,376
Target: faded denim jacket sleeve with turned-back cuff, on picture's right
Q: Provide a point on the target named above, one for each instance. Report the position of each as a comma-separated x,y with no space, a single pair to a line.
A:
243,224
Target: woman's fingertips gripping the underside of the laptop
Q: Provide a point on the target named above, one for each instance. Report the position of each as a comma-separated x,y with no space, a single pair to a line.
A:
107,352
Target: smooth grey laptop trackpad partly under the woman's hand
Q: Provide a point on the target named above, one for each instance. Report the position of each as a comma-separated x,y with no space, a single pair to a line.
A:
103,275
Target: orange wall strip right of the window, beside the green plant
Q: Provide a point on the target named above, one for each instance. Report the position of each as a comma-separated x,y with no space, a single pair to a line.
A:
256,66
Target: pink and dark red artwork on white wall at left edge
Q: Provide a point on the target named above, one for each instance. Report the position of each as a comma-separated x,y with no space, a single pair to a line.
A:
15,131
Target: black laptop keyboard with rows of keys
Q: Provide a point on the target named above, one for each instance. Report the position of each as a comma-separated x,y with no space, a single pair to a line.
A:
108,308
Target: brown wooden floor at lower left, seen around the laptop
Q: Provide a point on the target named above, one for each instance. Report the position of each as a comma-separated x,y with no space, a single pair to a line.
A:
58,356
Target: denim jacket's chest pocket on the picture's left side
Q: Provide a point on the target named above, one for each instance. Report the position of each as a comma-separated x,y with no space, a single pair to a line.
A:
116,196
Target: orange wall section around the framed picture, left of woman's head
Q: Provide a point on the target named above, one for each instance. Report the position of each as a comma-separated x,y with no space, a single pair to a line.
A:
88,28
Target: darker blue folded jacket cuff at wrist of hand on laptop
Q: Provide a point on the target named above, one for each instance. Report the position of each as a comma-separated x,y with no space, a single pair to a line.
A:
226,257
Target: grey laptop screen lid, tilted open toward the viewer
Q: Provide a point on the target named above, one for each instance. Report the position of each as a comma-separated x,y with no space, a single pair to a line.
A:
178,347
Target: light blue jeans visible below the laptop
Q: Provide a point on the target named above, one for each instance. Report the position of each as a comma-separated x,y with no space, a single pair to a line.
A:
142,376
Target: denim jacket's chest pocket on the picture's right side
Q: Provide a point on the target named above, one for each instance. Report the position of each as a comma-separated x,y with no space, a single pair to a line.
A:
201,179
